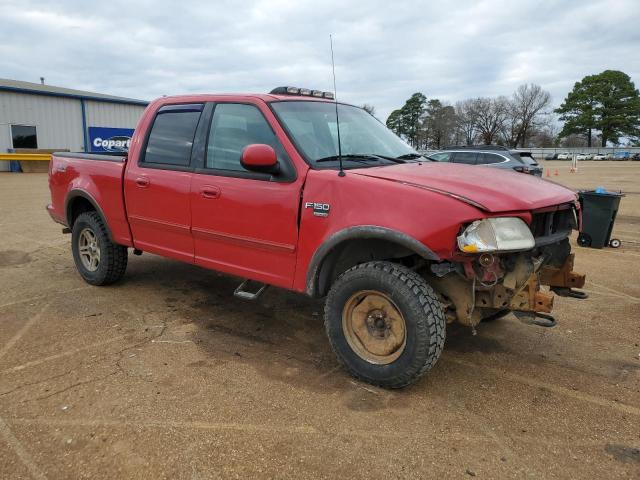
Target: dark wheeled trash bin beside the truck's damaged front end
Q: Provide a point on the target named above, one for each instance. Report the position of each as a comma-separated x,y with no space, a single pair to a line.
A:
599,210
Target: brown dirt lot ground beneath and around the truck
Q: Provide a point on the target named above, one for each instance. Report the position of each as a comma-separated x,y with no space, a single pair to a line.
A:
166,375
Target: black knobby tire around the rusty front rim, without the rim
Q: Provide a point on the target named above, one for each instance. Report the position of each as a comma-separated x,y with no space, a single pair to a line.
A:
422,312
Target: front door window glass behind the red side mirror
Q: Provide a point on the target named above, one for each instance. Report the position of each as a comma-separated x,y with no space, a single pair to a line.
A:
233,127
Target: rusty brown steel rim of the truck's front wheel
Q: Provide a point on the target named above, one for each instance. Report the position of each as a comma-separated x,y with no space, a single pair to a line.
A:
374,327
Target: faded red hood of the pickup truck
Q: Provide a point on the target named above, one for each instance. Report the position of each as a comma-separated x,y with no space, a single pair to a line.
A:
490,189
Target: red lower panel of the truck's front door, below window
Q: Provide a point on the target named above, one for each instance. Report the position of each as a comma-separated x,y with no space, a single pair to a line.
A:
249,230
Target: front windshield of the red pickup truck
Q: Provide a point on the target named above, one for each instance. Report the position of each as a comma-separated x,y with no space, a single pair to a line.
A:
364,140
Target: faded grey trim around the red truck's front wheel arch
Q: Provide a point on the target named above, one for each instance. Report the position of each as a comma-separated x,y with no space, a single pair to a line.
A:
361,232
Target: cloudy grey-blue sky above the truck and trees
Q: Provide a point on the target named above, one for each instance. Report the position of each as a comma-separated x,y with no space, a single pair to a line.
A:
384,50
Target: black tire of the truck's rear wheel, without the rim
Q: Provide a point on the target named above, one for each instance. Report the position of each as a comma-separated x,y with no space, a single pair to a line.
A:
113,257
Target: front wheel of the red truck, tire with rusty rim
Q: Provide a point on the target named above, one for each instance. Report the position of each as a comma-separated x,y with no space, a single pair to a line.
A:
385,324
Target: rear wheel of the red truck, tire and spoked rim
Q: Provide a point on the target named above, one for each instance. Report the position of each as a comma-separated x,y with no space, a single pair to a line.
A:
98,260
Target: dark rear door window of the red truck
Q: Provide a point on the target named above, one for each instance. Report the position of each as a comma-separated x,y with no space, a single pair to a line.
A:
171,136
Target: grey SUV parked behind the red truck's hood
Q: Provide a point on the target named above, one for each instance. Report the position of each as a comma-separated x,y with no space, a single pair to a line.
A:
490,156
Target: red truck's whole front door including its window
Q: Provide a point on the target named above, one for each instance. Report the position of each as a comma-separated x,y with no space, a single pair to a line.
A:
244,223
